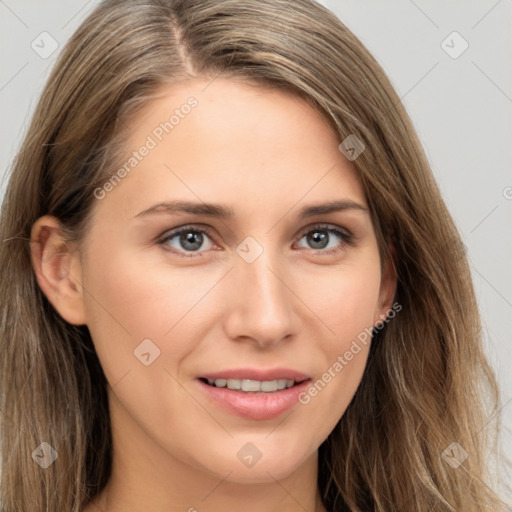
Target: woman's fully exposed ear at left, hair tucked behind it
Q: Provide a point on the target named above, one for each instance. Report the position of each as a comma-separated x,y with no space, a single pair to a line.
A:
58,269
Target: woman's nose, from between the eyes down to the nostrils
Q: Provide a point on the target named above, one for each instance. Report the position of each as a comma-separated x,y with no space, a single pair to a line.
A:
261,302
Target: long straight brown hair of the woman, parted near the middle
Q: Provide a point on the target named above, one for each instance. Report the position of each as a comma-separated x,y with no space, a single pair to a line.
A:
427,383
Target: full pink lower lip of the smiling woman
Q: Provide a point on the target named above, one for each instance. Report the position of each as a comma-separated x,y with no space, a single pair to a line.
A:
256,406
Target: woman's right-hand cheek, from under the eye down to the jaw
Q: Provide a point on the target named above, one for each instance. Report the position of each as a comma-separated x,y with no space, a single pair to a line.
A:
347,306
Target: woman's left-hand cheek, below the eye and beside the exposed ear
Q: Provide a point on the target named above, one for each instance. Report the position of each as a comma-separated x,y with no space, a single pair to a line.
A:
131,298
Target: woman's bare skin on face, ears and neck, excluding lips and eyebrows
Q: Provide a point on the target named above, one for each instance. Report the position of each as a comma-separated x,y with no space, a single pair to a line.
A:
265,154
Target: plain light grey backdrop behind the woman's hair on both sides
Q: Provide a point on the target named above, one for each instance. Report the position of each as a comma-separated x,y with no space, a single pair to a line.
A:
461,108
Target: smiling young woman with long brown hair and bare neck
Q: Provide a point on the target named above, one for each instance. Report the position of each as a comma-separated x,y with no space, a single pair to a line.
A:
230,281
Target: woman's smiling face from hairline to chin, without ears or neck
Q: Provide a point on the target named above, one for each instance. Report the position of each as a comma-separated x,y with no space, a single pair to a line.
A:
277,291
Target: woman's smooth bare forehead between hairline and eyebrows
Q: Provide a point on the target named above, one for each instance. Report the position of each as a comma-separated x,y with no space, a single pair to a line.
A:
226,141
